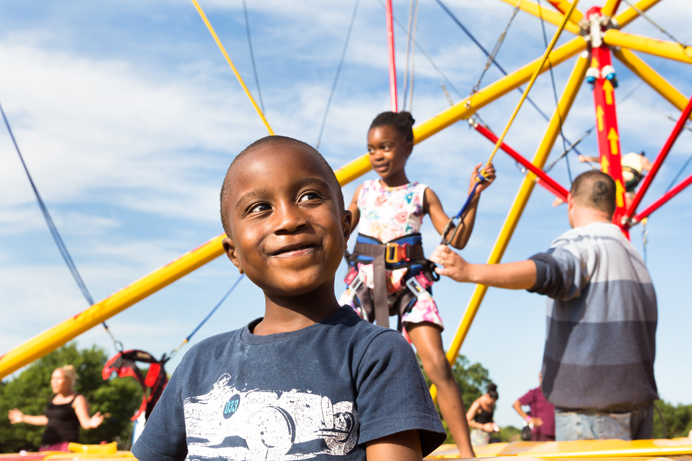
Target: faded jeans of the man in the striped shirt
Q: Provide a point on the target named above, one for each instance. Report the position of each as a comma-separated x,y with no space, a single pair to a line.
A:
595,424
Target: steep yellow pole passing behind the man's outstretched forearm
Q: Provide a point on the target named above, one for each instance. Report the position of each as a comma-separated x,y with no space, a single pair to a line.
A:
565,104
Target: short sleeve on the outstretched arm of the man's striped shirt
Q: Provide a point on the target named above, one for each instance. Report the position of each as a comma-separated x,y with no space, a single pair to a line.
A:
560,273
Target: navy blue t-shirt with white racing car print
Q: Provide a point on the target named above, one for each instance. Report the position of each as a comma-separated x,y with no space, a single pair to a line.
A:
321,392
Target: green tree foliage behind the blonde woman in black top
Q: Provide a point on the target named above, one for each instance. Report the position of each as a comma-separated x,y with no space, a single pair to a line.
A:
31,391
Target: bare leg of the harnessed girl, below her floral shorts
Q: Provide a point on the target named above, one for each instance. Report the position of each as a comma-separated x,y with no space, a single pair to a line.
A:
427,338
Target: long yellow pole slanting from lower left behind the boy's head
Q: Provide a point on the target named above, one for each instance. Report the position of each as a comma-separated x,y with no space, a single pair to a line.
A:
55,337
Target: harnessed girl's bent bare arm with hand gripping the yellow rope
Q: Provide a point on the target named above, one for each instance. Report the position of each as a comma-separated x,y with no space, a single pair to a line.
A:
439,218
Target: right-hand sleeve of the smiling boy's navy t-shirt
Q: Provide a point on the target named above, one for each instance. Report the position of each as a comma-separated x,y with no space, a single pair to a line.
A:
392,394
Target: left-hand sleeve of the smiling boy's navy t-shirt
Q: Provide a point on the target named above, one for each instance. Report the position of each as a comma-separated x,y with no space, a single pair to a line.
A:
163,437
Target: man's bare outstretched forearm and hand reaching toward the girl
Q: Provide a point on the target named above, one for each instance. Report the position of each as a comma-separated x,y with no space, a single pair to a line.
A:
519,275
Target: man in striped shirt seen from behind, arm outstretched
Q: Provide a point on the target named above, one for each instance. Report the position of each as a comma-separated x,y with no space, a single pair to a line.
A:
602,315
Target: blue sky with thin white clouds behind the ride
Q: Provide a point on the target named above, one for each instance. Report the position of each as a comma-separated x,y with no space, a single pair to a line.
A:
128,116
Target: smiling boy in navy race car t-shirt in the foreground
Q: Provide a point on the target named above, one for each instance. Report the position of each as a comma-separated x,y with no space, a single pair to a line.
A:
309,380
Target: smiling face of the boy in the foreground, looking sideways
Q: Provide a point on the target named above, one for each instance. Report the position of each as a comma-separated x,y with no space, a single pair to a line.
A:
288,232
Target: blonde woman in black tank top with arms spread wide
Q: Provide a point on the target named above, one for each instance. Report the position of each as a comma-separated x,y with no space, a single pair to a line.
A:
65,412
